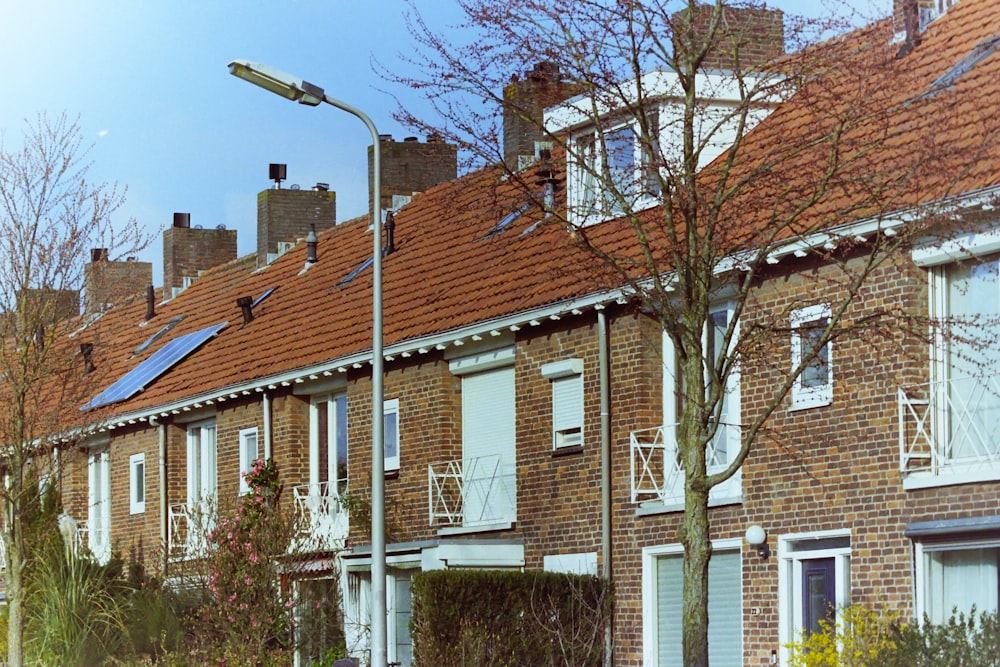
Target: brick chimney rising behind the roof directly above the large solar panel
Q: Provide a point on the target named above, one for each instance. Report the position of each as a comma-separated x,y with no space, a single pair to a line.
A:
187,251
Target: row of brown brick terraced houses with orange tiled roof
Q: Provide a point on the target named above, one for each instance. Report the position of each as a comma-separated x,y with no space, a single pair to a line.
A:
881,483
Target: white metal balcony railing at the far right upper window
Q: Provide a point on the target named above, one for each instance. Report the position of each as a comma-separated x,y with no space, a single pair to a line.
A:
950,425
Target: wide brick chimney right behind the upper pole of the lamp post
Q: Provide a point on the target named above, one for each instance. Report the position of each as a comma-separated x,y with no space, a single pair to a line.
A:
409,166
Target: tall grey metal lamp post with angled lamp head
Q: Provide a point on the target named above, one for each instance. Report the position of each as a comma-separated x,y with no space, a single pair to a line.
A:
303,92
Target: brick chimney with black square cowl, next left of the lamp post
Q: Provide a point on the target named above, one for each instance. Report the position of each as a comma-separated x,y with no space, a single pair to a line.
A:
284,216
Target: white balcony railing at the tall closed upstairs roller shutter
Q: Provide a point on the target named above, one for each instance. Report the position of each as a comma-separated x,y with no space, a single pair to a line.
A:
471,492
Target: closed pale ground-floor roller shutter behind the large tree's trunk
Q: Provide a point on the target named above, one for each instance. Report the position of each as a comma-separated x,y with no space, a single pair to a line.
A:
725,629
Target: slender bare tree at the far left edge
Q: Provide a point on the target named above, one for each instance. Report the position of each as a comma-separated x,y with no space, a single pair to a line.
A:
50,217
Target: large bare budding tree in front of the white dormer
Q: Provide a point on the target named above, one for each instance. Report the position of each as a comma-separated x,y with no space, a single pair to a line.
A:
706,160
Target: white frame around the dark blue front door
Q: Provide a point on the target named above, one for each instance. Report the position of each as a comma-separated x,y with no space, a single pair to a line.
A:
790,577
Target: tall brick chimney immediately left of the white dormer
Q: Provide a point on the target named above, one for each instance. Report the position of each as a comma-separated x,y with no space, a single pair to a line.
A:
524,101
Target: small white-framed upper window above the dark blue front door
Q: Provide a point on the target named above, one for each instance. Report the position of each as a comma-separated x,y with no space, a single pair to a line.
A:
814,385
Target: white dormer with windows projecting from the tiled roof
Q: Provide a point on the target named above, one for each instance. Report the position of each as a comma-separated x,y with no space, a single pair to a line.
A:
631,160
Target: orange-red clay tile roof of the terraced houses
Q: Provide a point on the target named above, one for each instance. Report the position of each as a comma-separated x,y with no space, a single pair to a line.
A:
444,275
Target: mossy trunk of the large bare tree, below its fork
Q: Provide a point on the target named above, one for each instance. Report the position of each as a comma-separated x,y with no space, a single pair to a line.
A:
694,537
